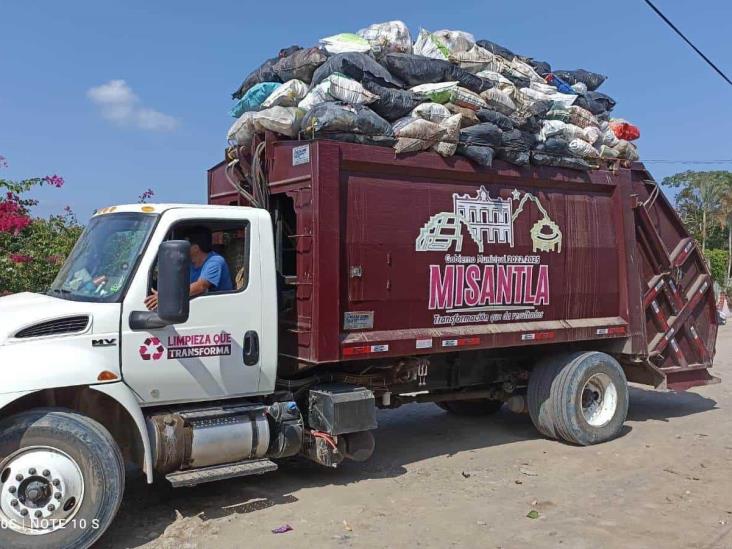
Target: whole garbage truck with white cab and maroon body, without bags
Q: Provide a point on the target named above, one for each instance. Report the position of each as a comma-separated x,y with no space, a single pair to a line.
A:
360,281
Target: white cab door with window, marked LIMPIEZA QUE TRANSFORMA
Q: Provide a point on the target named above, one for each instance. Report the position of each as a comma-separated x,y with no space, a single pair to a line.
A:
217,353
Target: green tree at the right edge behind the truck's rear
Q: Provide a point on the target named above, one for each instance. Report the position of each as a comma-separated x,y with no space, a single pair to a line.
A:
699,200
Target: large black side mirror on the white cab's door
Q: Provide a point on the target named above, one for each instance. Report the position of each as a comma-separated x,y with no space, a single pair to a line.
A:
174,281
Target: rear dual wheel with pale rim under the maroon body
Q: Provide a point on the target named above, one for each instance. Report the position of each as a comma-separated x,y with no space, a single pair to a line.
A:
581,398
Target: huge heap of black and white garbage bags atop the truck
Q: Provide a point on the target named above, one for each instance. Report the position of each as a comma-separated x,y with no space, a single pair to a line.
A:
445,92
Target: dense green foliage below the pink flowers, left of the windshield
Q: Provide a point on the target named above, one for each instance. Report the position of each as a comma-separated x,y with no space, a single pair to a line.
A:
30,259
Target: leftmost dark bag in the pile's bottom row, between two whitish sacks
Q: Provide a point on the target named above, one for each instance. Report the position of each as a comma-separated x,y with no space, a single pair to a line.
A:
340,118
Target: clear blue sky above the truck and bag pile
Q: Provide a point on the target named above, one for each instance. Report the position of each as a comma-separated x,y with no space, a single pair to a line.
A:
121,97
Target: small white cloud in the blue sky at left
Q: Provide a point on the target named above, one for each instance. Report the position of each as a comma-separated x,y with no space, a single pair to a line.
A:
120,105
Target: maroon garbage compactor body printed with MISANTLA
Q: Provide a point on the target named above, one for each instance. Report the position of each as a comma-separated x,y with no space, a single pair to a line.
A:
421,255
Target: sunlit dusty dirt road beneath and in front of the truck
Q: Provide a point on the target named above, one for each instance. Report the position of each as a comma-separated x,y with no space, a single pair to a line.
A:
442,481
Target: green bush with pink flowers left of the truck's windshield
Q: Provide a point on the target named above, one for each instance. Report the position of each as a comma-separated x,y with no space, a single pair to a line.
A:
31,249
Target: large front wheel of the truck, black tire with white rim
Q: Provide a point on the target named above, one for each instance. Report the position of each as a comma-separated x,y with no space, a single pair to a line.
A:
57,468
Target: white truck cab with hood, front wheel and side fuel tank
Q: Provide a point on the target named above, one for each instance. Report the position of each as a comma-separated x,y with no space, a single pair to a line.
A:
90,367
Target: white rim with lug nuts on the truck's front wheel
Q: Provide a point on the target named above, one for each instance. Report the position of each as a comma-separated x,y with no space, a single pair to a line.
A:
41,489
